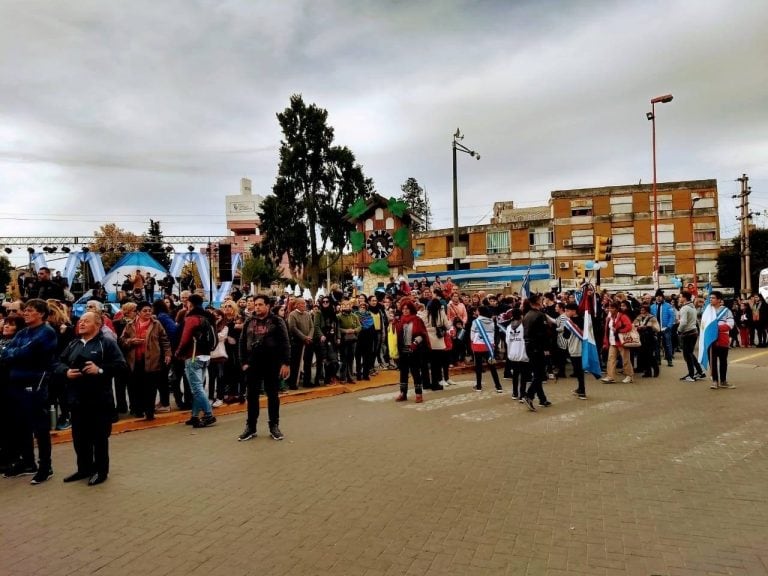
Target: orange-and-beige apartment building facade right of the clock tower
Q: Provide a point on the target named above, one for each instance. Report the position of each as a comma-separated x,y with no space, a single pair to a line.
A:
562,234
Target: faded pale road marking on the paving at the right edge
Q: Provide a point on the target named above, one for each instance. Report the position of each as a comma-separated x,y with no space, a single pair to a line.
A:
726,449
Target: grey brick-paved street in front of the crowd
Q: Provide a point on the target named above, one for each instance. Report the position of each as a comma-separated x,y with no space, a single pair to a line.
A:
659,477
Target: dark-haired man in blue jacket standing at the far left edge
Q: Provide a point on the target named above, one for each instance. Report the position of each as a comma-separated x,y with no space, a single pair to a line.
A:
29,359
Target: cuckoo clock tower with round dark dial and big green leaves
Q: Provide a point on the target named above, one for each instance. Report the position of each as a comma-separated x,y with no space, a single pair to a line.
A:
381,241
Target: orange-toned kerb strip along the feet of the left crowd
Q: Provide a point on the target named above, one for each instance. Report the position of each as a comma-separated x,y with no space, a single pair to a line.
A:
130,424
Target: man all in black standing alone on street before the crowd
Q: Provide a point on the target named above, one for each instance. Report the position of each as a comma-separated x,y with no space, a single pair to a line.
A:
266,354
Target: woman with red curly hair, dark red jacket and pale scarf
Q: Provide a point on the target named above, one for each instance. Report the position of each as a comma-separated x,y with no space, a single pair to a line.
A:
412,344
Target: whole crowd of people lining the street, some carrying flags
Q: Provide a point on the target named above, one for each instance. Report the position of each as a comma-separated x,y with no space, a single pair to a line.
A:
87,372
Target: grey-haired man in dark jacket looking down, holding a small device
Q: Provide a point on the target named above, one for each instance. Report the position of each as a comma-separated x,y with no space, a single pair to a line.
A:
89,363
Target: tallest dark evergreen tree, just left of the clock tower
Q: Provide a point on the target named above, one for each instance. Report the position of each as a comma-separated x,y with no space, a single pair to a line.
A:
316,183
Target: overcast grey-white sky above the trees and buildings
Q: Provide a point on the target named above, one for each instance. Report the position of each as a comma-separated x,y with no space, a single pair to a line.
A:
122,111
